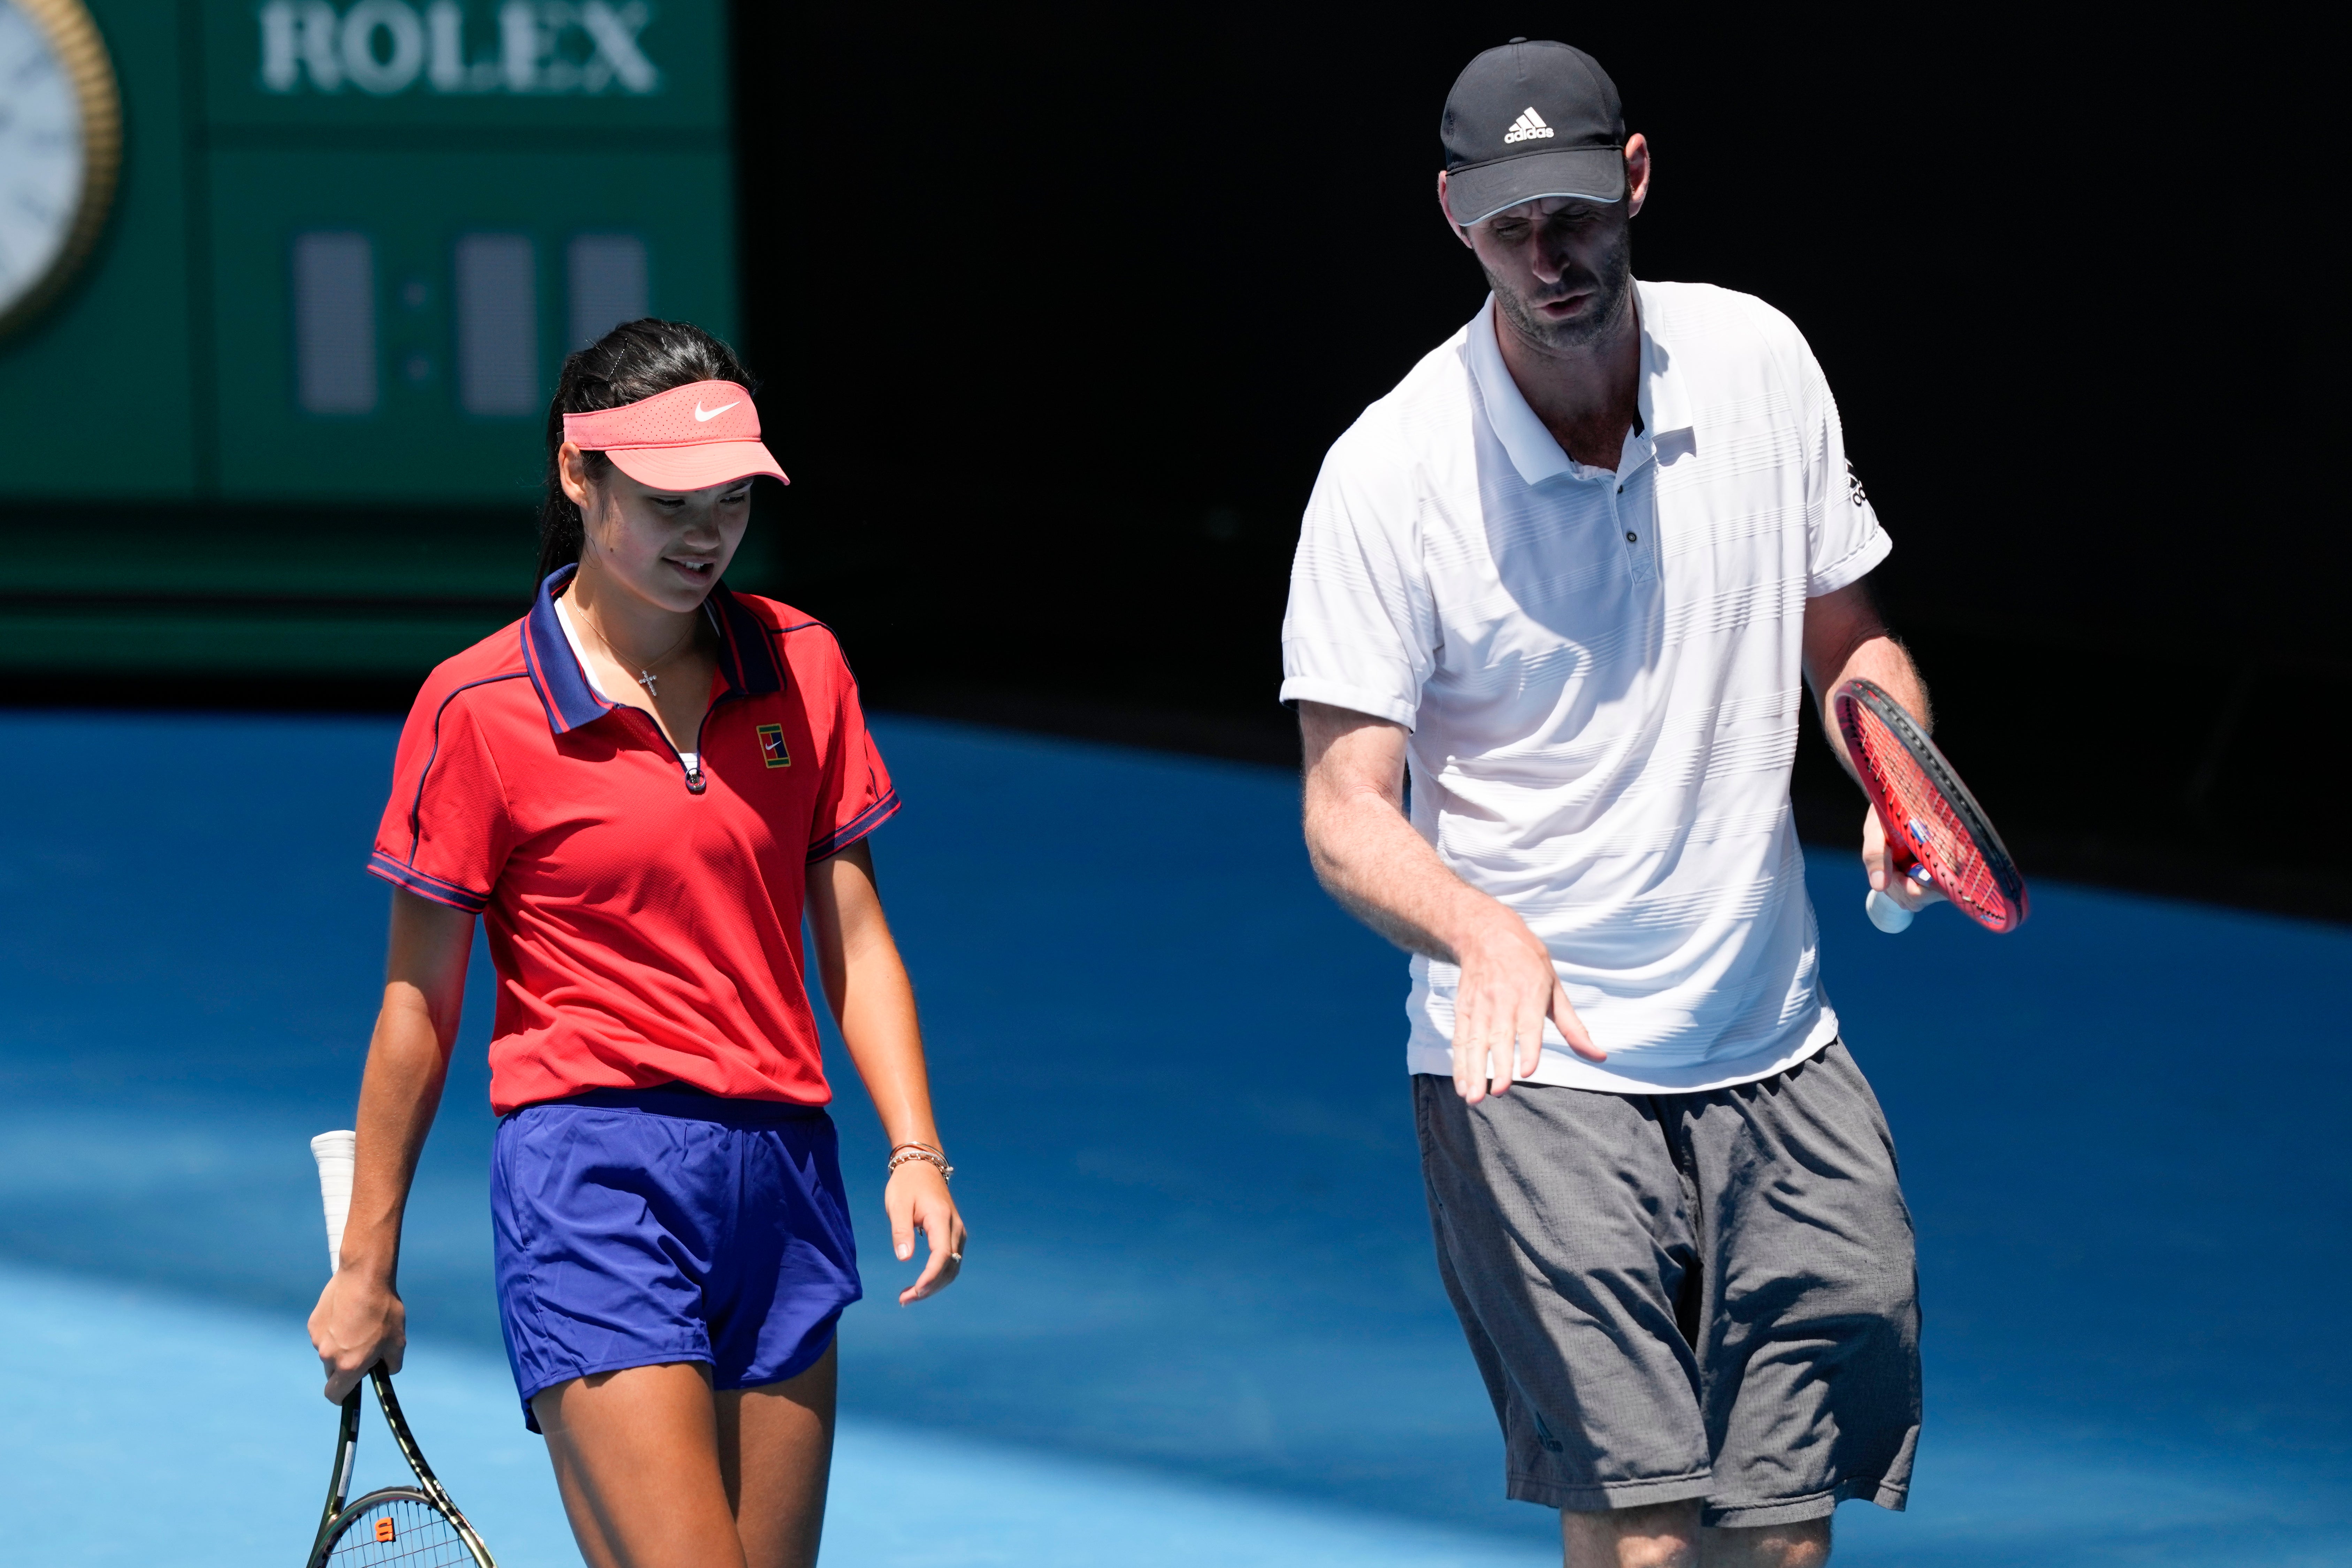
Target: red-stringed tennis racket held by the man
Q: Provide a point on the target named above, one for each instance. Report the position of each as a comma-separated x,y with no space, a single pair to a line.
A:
1935,829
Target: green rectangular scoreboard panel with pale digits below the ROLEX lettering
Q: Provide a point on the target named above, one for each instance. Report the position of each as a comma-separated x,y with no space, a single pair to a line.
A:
389,326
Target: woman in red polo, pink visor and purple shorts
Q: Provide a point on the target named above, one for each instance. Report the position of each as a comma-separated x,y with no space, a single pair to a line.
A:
646,786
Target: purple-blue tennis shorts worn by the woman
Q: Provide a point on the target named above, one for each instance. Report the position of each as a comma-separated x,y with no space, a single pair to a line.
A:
648,1226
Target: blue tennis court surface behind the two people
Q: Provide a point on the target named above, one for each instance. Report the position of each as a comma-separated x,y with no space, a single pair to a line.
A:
1201,1322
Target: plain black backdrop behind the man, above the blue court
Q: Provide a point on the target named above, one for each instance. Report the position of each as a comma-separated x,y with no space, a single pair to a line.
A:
1060,311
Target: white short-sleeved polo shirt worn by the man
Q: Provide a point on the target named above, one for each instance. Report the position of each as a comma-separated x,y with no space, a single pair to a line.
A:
1603,674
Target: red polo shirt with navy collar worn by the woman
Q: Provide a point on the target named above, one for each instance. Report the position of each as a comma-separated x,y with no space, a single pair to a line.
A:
646,920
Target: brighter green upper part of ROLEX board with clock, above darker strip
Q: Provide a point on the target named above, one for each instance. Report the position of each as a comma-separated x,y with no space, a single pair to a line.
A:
356,236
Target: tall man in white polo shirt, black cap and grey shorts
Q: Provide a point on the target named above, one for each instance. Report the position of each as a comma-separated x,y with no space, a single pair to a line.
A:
1572,575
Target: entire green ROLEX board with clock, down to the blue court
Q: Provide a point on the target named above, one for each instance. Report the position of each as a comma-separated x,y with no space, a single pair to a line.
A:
276,361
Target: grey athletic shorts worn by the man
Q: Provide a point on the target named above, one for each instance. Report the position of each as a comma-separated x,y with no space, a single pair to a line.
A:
1688,1294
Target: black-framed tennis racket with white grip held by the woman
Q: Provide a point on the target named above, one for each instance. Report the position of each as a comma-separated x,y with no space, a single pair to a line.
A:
408,1527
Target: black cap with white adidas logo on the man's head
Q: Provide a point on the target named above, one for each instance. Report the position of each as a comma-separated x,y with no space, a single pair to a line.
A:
1530,121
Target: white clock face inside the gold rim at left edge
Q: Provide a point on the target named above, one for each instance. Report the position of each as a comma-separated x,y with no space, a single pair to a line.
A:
44,166
